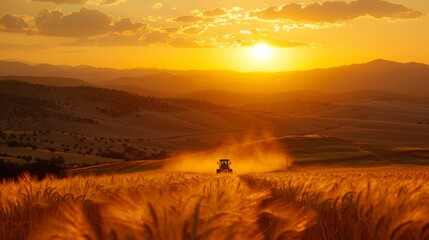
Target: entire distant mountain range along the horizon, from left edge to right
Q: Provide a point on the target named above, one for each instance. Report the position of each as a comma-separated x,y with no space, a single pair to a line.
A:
401,78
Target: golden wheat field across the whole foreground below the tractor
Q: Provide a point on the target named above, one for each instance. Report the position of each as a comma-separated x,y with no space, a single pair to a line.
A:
310,203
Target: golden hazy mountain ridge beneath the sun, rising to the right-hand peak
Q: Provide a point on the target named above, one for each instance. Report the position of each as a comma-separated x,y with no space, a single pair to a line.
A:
401,78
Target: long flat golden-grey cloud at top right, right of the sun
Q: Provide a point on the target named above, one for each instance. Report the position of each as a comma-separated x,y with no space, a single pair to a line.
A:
338,11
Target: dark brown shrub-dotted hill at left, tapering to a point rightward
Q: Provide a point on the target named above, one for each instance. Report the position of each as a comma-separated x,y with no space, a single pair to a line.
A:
105,111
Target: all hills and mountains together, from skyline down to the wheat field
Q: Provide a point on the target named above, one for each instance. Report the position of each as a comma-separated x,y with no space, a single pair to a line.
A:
352,112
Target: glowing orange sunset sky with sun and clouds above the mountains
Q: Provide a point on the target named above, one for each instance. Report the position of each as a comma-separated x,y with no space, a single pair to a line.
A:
240,35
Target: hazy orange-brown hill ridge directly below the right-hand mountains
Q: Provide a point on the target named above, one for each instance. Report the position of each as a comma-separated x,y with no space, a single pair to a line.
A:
363,105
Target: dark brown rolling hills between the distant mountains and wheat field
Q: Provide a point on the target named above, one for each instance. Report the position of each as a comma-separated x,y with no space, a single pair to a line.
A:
87,124
